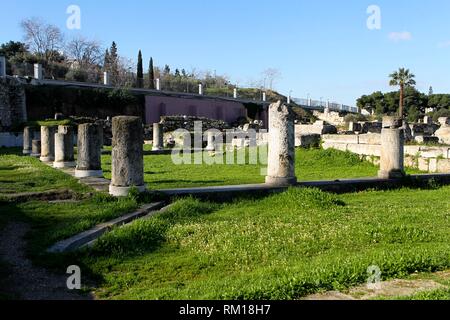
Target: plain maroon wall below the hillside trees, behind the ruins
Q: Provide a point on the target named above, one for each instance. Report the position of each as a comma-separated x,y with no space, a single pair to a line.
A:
156,106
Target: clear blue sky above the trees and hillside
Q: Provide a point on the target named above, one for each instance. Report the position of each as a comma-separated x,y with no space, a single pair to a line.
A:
321,47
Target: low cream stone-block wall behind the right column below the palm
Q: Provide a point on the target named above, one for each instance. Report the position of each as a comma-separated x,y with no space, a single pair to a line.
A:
368,146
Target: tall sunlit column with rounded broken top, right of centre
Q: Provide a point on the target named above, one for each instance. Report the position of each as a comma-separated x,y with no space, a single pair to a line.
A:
281,153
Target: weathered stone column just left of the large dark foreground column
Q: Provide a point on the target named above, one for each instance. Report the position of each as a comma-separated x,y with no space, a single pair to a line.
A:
90,143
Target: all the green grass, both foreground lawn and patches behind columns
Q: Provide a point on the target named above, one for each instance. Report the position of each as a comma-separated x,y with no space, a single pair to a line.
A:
196,250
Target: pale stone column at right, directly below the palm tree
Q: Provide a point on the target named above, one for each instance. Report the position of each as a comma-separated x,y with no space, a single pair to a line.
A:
392,148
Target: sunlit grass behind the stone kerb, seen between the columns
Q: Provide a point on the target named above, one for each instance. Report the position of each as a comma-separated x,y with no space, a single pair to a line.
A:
313,164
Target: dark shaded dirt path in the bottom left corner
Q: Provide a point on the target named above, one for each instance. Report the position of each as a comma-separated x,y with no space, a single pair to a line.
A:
25,281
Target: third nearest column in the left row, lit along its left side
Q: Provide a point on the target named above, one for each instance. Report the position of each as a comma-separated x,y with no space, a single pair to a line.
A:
64,148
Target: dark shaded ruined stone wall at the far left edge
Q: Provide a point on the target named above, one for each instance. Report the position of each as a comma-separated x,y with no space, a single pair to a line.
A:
12,103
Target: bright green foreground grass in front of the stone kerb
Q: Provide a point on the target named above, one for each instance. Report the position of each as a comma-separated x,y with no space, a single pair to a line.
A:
281,247
